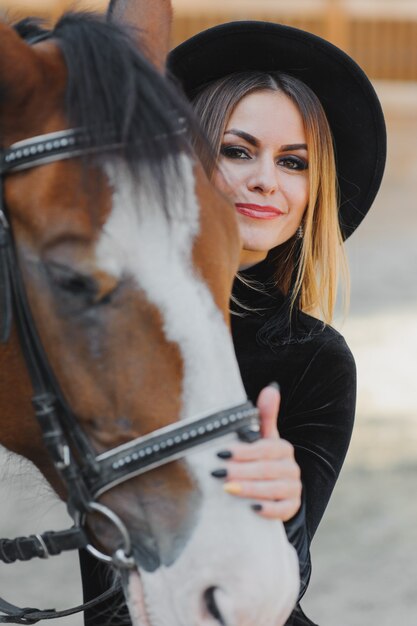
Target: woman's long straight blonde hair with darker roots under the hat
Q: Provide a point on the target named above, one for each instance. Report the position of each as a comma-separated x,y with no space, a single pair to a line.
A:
321,257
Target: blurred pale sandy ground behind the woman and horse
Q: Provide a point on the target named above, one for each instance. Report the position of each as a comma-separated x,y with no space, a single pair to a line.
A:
365,552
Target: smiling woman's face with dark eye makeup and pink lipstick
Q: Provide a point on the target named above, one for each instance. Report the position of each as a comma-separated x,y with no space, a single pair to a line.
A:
264,171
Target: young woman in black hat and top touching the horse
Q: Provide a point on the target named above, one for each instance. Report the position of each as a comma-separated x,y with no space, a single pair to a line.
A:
299,138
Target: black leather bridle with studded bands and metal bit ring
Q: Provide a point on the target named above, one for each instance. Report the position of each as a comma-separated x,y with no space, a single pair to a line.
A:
85,475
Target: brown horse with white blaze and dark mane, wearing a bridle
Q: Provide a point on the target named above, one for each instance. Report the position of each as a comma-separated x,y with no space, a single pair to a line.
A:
118,375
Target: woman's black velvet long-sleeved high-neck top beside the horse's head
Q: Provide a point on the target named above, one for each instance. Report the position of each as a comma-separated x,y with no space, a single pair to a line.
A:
316,372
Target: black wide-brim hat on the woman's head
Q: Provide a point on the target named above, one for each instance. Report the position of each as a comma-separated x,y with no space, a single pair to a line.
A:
352,107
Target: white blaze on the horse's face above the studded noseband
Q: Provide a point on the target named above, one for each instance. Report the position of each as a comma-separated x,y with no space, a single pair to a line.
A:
140,241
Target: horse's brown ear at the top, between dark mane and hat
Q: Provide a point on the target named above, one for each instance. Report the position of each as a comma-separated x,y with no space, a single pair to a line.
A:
152,20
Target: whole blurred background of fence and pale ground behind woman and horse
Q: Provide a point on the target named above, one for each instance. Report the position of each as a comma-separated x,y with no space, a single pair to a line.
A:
365,552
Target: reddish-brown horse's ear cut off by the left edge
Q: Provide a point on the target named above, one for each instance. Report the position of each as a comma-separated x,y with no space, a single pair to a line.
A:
19,71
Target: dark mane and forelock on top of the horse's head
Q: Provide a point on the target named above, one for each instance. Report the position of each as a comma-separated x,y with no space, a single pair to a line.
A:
112,87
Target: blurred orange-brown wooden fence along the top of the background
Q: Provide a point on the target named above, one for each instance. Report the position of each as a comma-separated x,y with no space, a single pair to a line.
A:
381,35
